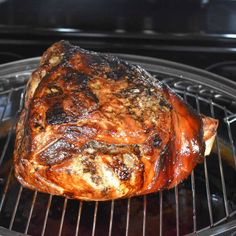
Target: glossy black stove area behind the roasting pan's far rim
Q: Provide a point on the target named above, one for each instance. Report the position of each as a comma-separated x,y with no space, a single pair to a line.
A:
198,33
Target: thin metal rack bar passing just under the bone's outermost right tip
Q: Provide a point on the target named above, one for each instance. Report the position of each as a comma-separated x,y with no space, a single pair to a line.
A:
221,168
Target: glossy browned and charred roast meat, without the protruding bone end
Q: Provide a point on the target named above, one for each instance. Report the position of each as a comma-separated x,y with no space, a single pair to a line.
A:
94,127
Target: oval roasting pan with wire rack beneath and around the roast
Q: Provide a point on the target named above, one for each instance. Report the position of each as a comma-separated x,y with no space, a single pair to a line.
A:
205,203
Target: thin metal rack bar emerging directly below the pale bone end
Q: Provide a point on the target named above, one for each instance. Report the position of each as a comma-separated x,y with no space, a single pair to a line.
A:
206,177
